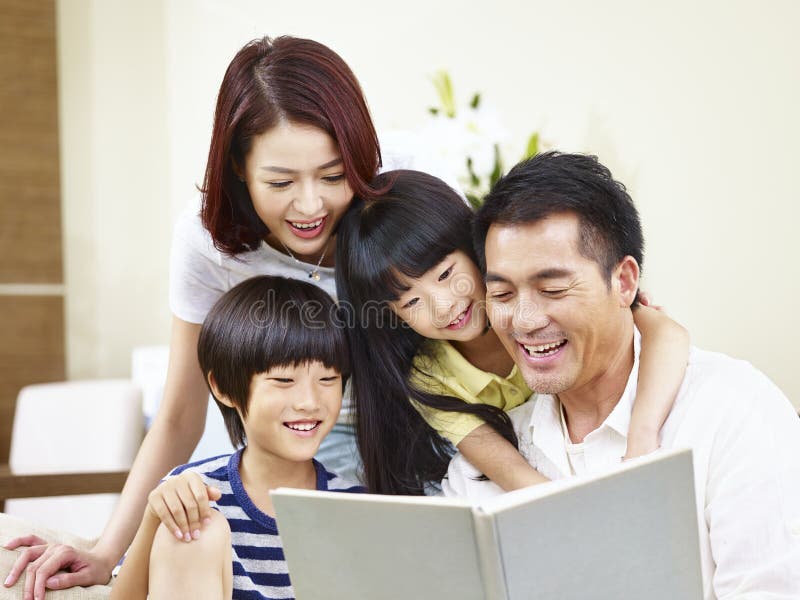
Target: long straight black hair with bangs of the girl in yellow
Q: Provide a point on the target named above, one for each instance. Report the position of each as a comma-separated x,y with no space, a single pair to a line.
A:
408,230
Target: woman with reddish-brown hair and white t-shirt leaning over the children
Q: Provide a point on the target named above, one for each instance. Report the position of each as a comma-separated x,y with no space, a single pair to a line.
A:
292,141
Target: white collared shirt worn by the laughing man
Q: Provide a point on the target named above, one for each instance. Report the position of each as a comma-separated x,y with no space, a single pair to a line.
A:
745,438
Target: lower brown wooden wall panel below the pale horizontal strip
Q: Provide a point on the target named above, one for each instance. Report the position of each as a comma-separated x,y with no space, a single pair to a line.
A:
31,351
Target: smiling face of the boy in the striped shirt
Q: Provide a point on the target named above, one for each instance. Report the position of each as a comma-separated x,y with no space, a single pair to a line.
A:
291,409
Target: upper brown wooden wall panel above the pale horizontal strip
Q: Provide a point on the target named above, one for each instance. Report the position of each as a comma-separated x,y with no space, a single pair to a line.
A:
30,217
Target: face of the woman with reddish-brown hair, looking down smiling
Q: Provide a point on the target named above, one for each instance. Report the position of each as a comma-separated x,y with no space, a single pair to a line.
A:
295,177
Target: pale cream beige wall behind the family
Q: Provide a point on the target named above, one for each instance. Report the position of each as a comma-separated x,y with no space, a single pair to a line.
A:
693,105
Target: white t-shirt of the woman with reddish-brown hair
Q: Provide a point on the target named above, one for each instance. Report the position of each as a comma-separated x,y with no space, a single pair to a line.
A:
200,274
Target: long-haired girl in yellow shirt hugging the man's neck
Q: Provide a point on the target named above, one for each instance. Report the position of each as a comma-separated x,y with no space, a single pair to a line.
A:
413,243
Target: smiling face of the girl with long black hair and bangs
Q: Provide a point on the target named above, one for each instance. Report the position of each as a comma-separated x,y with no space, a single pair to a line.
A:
447,302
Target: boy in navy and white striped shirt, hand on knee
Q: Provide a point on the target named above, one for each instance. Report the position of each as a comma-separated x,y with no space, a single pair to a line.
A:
274,355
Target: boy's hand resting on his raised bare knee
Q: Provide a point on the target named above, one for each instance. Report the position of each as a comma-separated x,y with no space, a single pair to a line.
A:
181,503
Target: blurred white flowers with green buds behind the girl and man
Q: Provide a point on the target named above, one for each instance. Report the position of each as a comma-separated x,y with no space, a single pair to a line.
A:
469,139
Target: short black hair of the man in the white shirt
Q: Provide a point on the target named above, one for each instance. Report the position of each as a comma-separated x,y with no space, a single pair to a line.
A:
555,183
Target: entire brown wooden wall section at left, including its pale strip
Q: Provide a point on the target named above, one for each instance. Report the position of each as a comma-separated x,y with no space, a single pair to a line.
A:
31,325
